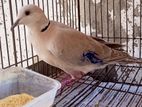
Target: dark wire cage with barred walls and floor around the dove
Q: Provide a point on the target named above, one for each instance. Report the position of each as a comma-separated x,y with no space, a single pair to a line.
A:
116,21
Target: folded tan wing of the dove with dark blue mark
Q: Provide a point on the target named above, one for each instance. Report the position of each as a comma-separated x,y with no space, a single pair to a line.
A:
72,46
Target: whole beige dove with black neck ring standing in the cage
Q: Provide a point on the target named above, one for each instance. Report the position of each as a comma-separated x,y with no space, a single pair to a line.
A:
66,48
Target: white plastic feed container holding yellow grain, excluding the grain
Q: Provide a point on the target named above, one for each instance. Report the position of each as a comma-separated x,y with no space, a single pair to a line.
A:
18,80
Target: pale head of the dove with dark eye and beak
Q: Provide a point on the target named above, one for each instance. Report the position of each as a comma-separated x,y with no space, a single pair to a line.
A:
29,15
